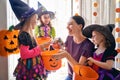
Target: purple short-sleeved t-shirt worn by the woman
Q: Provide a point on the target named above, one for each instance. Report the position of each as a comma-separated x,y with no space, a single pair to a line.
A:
84,48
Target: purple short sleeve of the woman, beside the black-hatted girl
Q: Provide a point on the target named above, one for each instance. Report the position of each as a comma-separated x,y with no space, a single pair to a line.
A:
88,49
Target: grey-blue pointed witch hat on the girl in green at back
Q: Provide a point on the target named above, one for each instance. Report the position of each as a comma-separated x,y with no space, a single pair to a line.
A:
42,10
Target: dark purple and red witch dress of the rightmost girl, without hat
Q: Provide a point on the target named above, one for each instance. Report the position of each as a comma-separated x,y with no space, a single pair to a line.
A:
103,73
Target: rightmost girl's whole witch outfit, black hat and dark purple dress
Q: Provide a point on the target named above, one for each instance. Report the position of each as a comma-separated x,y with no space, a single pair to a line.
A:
108,54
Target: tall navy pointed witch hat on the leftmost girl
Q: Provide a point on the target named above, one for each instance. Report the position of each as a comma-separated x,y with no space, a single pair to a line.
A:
21,9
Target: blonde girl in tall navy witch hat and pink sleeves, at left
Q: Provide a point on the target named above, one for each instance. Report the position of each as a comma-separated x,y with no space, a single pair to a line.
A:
30,65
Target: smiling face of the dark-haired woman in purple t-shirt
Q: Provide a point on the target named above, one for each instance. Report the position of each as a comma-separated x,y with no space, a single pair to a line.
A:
73,27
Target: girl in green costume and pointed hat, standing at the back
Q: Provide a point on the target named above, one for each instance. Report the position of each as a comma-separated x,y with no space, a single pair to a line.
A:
45,28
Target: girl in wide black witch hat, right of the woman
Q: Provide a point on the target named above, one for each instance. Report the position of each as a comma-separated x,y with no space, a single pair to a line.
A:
103,57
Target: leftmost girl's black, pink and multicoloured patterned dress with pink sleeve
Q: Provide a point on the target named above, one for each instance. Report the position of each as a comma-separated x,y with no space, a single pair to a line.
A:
29,67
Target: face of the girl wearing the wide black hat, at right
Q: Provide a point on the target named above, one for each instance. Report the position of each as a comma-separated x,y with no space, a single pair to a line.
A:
97,38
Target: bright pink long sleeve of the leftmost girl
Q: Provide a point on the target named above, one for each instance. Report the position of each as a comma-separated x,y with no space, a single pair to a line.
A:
25,53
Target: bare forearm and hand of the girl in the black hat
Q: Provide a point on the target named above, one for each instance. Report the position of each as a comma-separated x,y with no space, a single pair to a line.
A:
105,65
